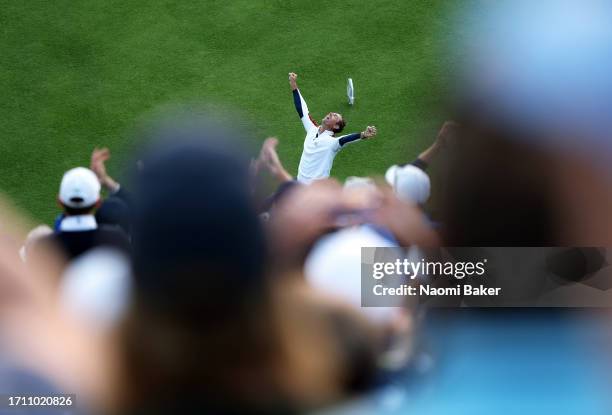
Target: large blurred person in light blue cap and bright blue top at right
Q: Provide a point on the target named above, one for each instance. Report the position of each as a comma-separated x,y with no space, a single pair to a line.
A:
532,169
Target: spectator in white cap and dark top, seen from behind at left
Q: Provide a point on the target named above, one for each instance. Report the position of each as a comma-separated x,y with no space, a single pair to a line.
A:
78,230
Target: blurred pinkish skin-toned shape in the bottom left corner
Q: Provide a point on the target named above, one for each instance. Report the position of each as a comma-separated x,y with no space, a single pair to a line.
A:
43,349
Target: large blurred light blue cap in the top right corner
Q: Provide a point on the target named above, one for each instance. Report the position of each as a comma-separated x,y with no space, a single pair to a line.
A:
542,67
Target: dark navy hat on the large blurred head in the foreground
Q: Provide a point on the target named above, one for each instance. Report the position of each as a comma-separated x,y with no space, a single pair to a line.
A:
196,234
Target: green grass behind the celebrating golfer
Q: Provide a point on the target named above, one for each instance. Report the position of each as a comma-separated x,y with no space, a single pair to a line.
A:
75,75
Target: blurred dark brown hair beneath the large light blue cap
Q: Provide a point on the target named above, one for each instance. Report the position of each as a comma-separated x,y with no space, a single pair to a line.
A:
489,199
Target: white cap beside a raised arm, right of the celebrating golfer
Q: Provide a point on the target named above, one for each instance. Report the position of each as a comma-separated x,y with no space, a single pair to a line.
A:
409,182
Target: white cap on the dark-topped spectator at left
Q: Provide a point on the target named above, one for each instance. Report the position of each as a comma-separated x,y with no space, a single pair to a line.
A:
80,188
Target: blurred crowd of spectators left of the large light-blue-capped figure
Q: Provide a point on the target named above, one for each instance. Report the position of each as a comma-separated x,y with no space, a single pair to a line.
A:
182,287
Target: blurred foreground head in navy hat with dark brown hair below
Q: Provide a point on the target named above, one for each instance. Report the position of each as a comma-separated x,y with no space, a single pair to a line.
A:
198,328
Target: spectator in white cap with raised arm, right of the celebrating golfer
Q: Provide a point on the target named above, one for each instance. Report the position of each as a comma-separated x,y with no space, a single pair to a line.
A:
410,181
